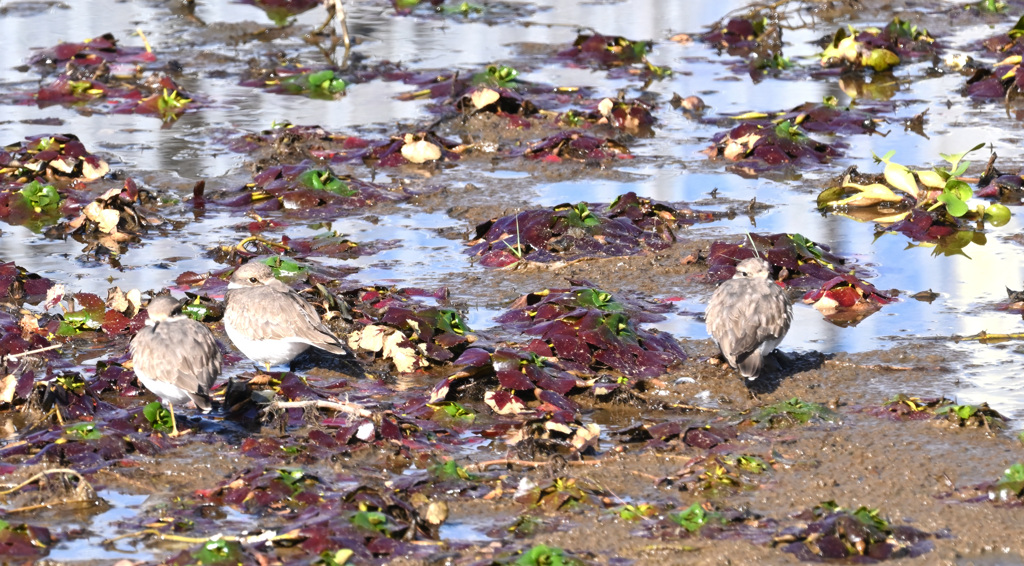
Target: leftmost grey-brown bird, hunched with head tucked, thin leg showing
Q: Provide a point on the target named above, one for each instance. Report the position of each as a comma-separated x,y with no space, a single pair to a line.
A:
176,358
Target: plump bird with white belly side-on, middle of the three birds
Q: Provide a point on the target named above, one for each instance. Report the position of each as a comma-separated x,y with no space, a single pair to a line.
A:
270,323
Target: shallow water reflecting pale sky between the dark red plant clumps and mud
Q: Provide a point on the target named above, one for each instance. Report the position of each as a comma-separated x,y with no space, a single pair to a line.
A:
668,167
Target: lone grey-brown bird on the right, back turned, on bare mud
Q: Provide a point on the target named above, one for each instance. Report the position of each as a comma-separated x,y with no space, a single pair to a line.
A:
748,317
